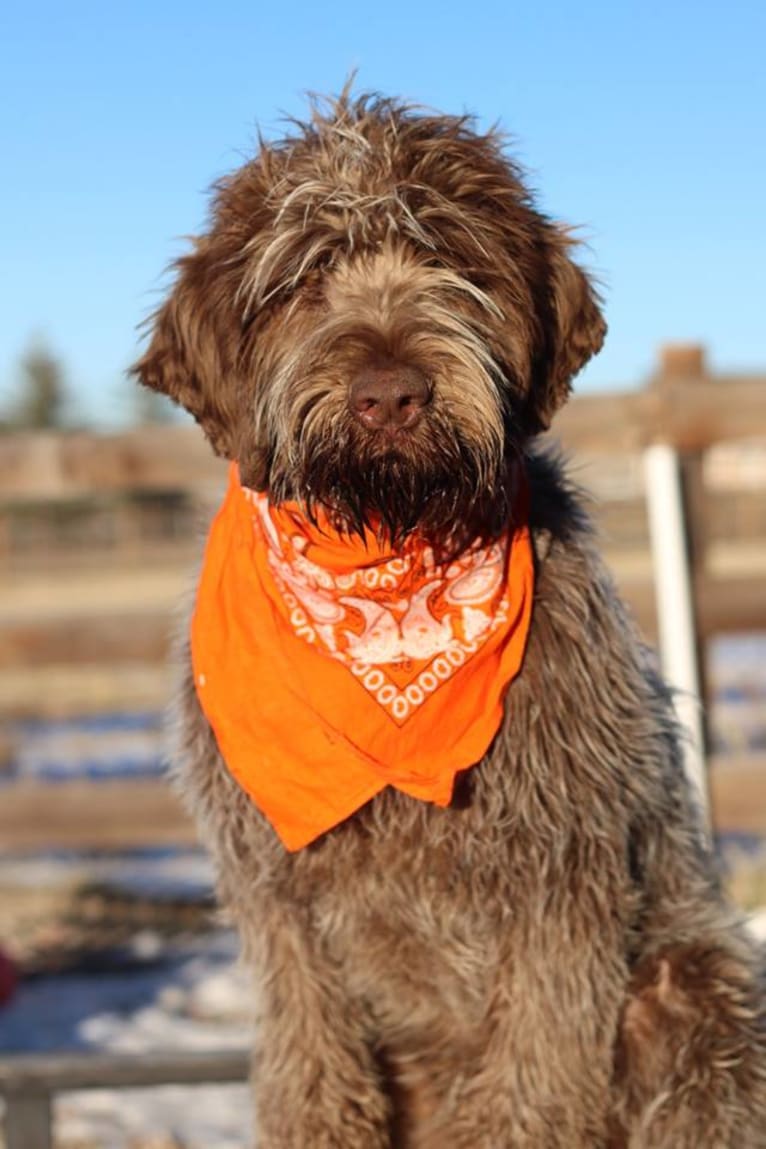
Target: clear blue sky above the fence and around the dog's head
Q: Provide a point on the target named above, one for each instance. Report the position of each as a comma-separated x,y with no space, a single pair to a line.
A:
645,124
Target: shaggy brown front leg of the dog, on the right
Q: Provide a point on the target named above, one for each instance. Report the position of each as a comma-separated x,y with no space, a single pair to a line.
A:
539,1076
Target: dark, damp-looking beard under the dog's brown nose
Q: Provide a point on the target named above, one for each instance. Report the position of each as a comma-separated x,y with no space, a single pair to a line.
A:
427,482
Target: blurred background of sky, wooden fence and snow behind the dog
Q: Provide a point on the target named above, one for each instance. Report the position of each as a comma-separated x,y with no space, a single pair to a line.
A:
640,124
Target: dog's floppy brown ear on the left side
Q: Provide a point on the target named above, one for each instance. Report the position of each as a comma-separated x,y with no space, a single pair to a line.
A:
196,358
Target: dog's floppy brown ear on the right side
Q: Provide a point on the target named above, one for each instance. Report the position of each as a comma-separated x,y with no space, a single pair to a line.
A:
574,330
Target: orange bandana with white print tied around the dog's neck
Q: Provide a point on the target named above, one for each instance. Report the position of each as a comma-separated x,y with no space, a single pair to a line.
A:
330,668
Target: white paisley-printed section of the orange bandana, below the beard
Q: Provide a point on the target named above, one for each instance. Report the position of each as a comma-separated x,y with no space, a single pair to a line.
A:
403,626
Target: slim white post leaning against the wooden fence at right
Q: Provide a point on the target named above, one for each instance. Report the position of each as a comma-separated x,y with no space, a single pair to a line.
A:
674,588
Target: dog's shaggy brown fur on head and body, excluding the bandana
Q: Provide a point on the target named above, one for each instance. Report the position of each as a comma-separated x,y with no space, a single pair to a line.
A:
548,963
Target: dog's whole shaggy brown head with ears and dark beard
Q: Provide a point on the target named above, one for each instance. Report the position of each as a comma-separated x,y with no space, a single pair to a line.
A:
376,321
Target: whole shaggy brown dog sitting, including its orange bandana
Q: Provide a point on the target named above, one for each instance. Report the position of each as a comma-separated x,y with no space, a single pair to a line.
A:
474,888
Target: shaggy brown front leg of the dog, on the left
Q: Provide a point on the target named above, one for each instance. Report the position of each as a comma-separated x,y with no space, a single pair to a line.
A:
315,1077
